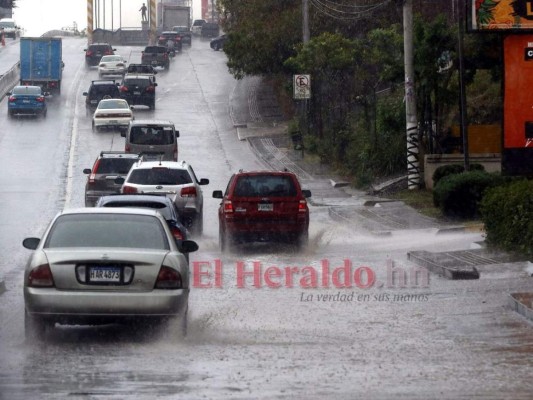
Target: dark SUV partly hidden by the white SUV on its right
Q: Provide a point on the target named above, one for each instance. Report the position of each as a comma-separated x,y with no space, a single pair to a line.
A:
108,166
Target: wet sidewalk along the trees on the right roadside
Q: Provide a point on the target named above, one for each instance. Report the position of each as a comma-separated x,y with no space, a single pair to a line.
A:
265,129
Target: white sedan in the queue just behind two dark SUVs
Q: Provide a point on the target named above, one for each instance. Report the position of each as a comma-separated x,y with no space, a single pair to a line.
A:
112,113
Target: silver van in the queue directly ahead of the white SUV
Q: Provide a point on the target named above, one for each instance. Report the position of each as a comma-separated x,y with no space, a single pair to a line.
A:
153,139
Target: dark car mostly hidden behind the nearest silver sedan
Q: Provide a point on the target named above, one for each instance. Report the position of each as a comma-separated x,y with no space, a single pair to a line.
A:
161,203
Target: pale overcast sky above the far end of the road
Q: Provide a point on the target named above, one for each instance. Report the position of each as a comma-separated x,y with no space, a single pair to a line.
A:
39,16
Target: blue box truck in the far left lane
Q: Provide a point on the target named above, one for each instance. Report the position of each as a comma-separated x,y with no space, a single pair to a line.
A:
41,63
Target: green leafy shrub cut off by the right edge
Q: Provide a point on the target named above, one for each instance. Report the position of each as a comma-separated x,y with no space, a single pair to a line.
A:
507,212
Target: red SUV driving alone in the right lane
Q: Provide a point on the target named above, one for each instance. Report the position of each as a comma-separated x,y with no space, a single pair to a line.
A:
263,206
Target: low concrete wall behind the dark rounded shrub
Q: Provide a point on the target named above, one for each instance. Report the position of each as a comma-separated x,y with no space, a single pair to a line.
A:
491,161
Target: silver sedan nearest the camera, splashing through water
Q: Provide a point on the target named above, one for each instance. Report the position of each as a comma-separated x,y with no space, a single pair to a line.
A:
105,265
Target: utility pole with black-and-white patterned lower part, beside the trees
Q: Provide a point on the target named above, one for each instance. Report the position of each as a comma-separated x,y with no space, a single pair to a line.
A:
413,170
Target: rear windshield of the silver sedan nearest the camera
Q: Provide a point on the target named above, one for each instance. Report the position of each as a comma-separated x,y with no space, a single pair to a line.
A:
107,230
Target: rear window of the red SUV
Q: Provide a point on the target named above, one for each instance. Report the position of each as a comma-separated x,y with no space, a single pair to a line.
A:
274,185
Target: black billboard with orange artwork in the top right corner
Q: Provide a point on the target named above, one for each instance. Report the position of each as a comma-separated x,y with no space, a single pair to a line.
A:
496,15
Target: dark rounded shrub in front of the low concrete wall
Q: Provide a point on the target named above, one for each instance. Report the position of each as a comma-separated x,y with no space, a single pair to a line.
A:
458,195
